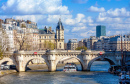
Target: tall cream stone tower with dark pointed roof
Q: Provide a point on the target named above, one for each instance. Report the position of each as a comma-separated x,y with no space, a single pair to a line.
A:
60,35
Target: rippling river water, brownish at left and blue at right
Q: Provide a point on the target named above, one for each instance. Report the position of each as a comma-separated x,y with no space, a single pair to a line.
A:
97,75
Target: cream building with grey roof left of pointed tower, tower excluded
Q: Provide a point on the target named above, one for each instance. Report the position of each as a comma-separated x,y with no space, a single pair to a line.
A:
46,38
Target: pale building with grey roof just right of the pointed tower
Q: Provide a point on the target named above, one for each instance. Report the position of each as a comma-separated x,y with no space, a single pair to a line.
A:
72,44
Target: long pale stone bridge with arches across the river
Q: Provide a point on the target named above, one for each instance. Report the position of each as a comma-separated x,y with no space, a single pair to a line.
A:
53,57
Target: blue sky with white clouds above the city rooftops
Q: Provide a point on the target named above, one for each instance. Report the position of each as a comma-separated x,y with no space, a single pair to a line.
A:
79,17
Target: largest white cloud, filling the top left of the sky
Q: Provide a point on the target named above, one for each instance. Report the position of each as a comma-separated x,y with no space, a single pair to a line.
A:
34,7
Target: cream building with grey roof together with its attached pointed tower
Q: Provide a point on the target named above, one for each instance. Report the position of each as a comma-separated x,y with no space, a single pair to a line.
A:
48,39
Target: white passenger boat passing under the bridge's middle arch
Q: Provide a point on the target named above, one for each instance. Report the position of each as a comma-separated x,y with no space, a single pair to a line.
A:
70,67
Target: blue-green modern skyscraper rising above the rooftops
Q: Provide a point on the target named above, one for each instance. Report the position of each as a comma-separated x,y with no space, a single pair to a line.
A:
100,30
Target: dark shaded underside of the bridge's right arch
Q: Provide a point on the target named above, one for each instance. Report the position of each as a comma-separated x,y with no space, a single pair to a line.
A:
111,62
